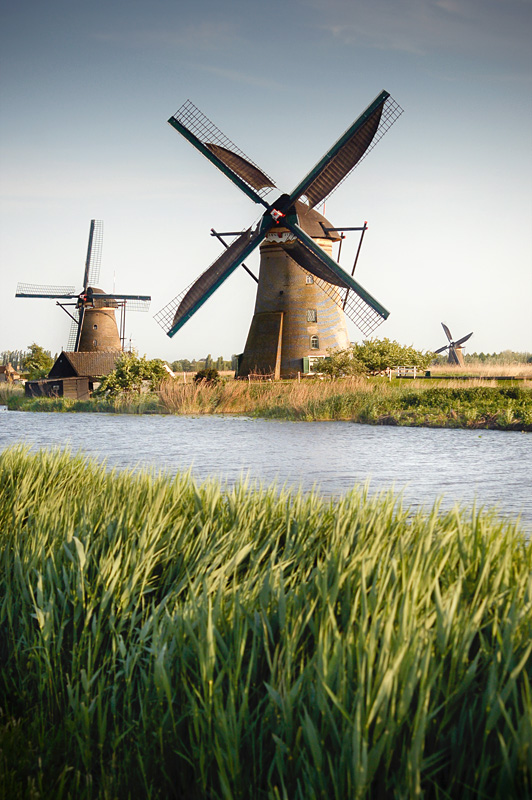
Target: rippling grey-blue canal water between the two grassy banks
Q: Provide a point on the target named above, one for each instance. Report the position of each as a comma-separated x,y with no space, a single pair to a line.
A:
493,468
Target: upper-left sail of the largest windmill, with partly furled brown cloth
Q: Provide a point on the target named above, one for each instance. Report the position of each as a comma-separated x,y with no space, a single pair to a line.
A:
219,149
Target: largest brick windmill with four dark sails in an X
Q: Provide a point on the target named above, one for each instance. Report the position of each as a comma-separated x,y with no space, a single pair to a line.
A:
302,292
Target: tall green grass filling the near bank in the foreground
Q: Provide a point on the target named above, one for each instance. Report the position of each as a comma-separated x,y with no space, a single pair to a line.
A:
162,639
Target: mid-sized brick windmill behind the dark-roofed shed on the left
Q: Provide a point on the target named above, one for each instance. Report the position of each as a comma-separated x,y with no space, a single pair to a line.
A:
94,327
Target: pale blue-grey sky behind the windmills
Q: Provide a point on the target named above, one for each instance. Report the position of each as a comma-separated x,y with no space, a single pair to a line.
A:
86,90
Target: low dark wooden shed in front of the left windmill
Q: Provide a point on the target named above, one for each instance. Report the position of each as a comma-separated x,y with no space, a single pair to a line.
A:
74,375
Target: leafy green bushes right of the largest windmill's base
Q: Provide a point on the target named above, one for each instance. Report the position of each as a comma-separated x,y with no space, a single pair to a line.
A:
372,357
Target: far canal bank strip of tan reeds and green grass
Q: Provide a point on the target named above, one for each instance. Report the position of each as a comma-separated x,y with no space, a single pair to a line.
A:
459,404
